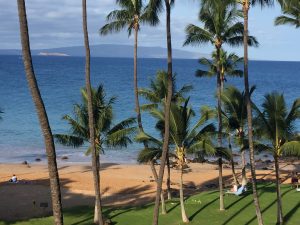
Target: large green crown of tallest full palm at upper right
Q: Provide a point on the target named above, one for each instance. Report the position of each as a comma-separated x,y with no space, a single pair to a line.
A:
221,26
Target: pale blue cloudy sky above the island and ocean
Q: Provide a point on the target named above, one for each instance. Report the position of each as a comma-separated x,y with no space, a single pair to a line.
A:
58,23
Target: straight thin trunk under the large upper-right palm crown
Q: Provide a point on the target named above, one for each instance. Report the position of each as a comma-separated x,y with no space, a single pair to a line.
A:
219,87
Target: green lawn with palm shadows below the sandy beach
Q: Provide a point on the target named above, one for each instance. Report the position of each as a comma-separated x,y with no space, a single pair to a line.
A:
201,209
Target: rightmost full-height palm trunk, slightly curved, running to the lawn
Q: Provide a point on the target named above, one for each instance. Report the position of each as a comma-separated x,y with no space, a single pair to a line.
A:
246,6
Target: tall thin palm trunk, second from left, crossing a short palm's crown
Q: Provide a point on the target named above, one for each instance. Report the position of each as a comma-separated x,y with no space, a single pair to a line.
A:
98,219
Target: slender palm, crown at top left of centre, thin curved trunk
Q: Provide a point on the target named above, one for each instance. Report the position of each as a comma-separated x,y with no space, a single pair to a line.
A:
132,14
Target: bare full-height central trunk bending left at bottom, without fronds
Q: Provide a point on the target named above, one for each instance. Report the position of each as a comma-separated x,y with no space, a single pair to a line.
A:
167,115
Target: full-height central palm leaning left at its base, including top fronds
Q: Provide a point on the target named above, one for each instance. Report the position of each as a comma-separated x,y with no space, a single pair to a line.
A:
155,6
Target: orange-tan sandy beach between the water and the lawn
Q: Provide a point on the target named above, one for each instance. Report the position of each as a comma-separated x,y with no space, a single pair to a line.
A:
122,185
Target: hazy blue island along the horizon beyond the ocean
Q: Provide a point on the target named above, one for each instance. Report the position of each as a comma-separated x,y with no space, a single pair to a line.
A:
109,50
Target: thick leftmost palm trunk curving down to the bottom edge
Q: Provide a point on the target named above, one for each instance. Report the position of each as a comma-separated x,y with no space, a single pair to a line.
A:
42,115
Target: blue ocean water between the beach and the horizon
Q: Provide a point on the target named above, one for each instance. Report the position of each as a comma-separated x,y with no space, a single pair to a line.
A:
60,79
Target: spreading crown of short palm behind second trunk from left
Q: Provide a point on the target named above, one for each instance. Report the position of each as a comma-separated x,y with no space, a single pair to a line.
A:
106,134
